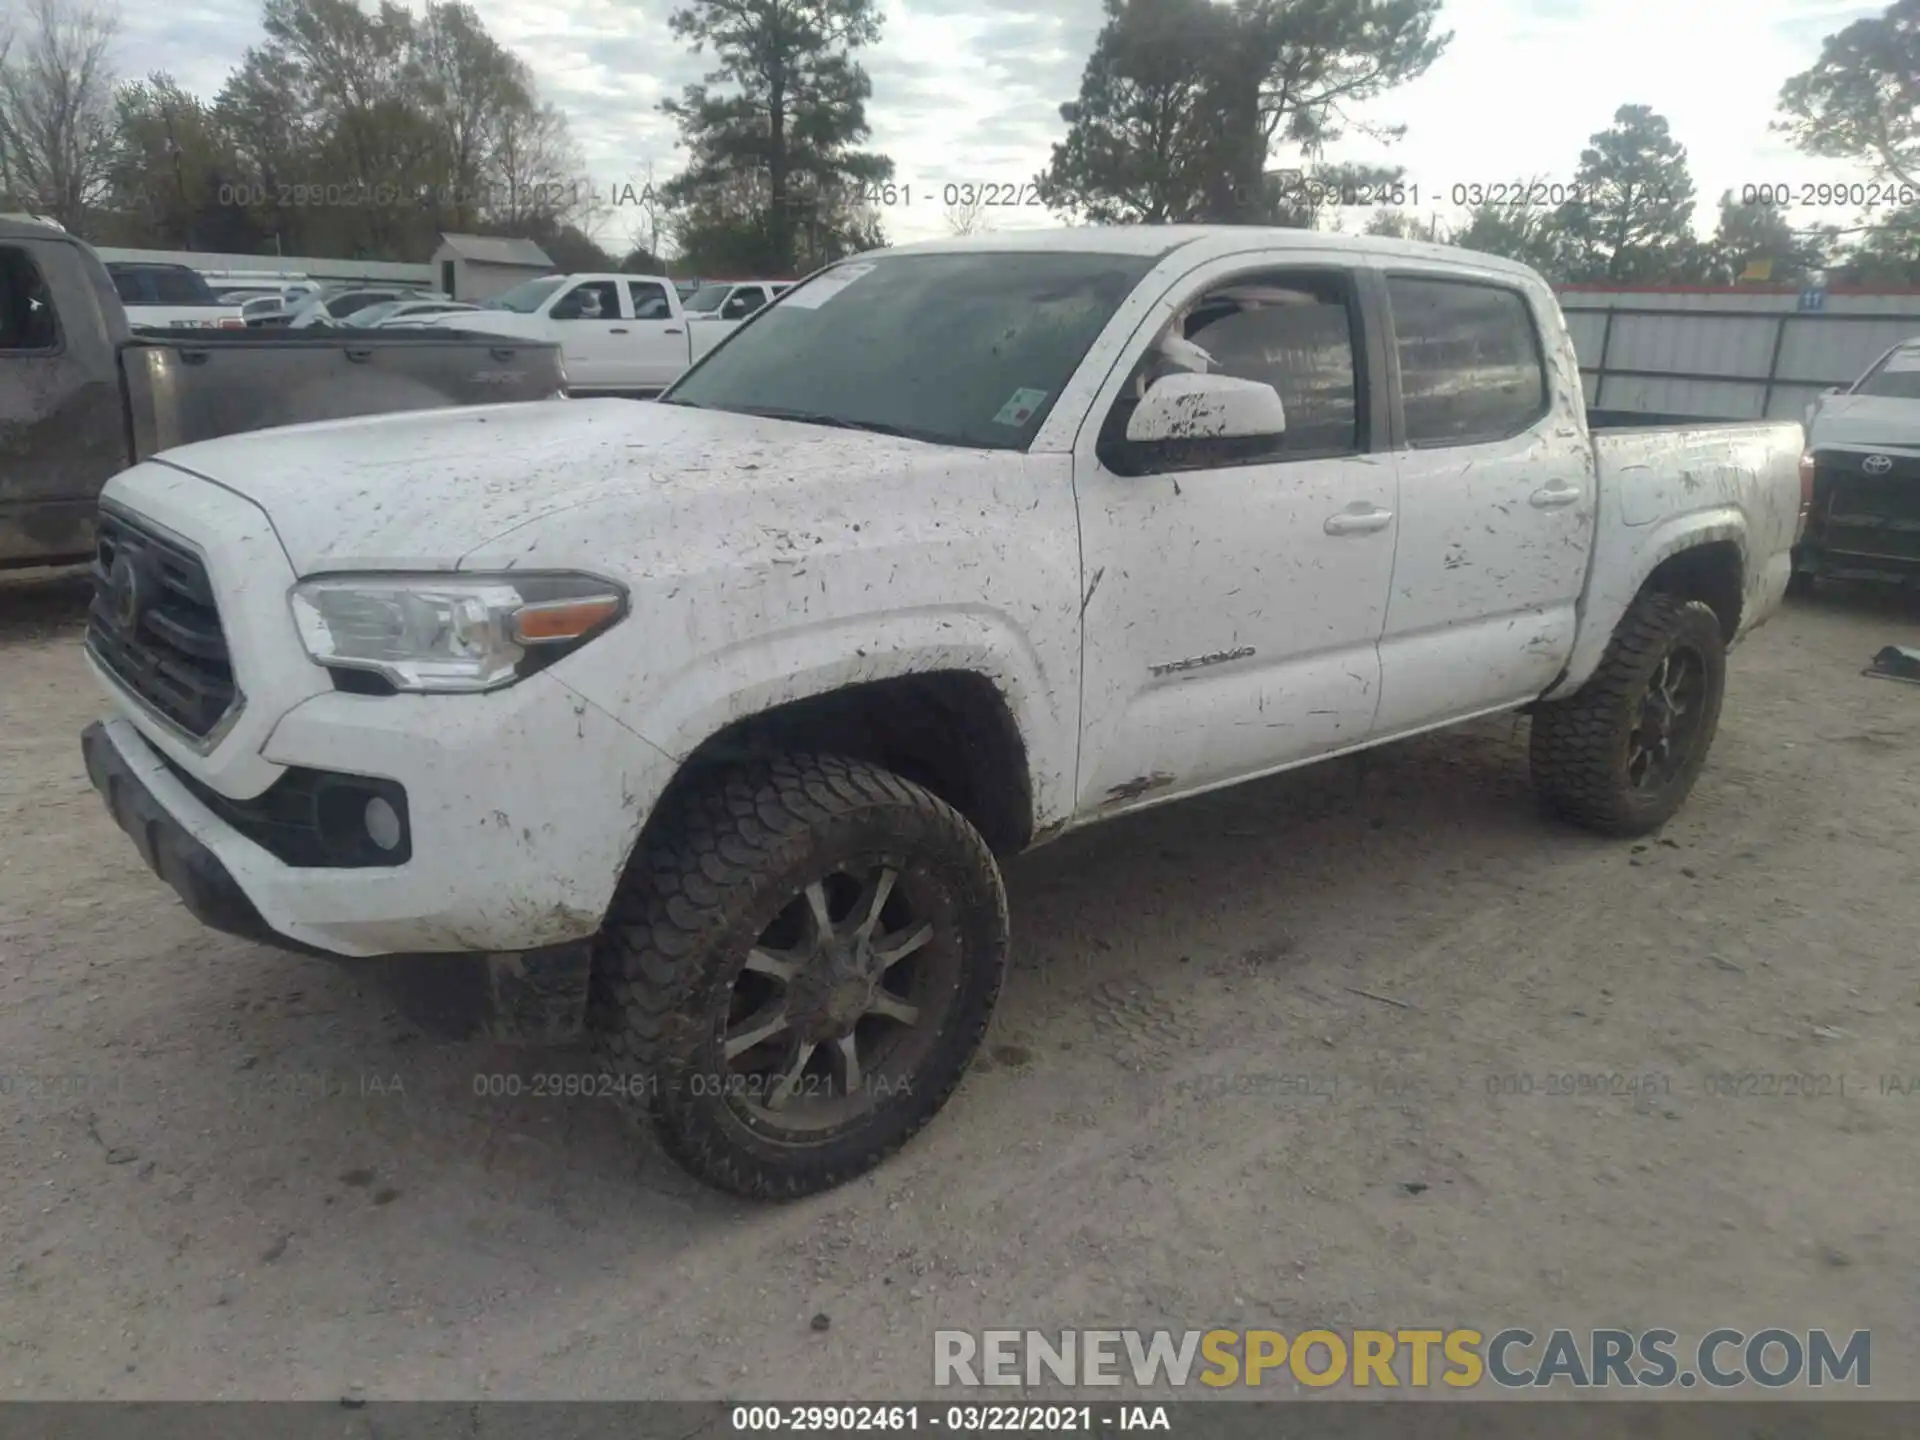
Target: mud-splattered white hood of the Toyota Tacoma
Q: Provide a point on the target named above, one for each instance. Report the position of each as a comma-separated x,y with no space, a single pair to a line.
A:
427,489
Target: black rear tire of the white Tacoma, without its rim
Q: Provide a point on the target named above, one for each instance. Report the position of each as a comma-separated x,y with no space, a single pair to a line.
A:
1579,752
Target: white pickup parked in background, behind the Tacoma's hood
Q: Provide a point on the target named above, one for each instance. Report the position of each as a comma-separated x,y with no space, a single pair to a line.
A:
623,335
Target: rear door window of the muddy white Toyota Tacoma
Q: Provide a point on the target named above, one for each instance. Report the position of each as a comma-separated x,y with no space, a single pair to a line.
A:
1472,364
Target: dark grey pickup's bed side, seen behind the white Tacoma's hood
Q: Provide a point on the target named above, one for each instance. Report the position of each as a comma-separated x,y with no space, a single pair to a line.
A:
185,391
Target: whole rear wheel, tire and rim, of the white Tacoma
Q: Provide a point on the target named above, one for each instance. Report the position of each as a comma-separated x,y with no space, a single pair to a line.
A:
1623,754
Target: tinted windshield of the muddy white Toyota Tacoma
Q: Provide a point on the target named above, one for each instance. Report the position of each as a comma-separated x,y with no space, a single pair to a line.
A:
957,348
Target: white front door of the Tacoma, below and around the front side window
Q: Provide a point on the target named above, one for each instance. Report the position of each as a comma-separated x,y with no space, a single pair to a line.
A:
1236,598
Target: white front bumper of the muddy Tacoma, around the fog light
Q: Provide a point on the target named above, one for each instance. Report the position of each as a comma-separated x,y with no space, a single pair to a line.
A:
523,809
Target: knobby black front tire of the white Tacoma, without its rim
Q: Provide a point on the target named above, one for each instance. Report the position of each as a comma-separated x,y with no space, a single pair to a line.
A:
696,901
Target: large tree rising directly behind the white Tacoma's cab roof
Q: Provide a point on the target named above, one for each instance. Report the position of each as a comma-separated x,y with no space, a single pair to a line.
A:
1184,101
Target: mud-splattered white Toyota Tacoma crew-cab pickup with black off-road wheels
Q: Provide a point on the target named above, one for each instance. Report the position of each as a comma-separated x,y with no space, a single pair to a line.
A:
704,725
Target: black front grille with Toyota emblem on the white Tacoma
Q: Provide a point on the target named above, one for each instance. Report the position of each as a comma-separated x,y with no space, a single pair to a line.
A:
156,627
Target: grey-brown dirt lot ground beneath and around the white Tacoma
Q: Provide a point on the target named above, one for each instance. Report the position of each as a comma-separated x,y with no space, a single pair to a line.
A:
228,1172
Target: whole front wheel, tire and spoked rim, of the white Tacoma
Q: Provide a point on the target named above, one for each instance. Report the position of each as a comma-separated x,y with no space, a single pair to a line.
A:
800,972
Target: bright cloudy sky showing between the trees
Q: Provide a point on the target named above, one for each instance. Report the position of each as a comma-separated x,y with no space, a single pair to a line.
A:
971,89
